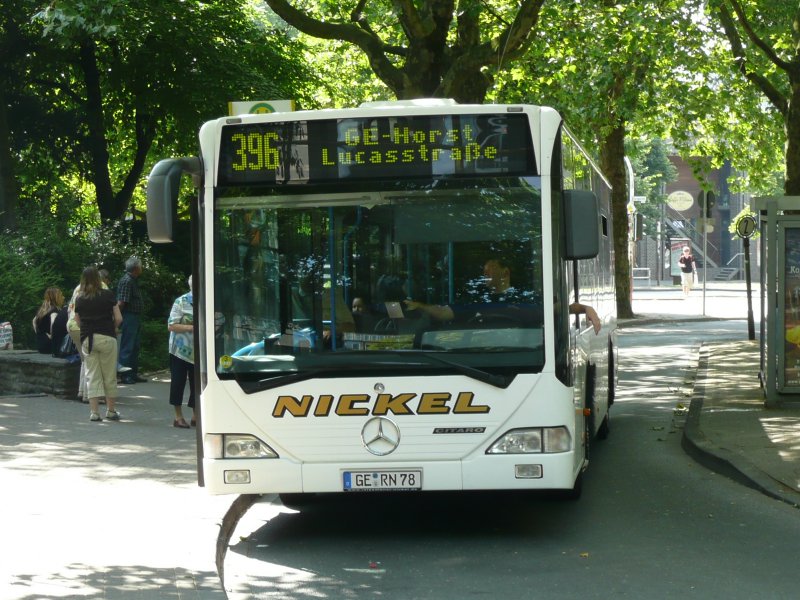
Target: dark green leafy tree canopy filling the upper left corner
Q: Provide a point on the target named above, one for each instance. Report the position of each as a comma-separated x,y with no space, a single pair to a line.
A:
95,88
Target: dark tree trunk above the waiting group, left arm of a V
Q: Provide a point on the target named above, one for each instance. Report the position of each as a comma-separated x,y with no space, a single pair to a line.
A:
96,142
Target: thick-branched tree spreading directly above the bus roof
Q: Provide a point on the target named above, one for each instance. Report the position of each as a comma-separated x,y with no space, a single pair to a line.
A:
432,48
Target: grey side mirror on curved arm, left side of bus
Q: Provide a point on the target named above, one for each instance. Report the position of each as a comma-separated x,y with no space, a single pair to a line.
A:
163,186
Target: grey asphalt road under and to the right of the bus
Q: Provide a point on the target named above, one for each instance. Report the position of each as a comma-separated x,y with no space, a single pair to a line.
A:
651,523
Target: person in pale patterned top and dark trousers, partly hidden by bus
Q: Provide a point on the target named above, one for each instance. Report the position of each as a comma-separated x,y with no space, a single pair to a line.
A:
181,355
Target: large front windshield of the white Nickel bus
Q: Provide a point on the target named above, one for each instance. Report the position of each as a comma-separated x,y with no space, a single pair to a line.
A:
379,276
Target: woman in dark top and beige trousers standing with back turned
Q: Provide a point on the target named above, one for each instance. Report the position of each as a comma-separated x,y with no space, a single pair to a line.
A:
98,316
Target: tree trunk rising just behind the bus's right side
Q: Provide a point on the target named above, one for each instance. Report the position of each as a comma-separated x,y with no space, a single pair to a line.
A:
612,158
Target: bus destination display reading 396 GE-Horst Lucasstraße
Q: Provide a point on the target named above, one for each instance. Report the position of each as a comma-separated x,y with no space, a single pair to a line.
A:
315,151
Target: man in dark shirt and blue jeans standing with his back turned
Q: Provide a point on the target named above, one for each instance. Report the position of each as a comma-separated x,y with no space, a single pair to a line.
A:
129,300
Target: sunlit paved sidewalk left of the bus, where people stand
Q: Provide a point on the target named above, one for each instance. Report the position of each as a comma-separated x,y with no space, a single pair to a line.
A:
103,510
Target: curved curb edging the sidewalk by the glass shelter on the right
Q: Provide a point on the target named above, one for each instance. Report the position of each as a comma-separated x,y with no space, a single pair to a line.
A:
729,464
